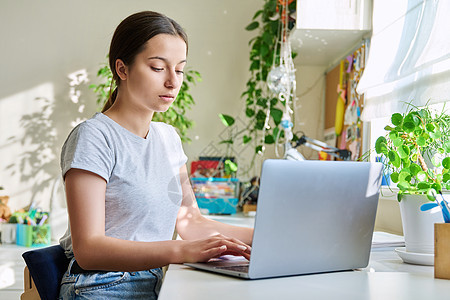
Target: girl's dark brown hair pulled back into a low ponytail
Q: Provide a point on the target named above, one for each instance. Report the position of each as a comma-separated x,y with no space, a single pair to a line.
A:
130,38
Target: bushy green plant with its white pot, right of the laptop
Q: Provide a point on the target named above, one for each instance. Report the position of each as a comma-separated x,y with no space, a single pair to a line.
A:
416,152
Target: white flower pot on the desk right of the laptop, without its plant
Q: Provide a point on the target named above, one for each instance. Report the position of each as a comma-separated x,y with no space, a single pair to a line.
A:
418,226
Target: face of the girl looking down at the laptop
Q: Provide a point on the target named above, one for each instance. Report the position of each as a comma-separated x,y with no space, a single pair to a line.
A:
155,77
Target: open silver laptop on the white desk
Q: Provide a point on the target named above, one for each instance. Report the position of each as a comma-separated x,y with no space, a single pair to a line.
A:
312,217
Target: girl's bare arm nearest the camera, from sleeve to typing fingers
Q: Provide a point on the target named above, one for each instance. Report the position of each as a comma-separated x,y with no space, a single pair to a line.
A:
94,250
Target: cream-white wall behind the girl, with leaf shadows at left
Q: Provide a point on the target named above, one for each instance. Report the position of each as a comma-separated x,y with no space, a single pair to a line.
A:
45,42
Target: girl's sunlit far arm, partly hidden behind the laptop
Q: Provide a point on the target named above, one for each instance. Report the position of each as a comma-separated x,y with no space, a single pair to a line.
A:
192,225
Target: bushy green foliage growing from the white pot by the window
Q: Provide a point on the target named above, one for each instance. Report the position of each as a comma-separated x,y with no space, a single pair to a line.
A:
413,138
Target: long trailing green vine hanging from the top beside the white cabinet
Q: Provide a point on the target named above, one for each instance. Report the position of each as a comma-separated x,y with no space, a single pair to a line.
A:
264,54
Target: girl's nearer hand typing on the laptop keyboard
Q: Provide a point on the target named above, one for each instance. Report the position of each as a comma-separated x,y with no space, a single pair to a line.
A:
212,247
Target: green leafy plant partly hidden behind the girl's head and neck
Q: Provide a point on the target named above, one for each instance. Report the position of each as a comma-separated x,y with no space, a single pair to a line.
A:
175,115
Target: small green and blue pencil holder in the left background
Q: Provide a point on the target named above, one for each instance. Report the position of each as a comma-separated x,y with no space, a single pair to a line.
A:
33,236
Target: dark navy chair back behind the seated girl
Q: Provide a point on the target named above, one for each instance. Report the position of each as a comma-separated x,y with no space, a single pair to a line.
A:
47,267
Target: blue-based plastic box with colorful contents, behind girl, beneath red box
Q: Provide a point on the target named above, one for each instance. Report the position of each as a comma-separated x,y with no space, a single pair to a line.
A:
216,195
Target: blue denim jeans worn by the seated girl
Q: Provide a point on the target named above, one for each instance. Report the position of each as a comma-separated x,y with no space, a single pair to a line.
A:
111,285
